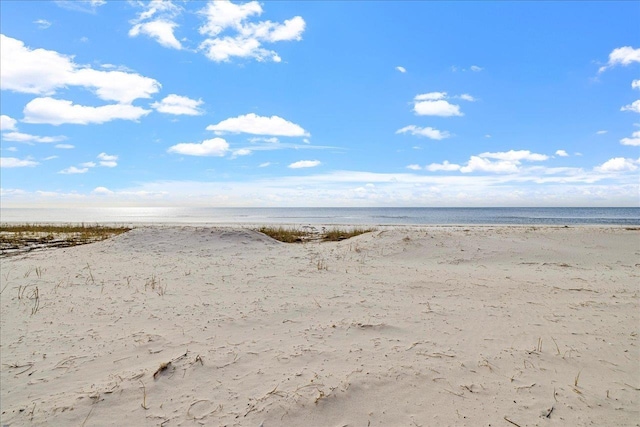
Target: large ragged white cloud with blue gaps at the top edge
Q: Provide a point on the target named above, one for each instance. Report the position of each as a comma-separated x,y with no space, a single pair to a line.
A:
229,33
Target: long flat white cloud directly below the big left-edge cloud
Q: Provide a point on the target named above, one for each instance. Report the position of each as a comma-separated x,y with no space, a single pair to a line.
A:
58,111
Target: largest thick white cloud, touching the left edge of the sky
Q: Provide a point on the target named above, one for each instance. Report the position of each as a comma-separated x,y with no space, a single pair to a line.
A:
43,72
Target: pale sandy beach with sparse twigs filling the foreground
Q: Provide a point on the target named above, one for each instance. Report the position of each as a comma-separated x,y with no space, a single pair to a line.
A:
426,326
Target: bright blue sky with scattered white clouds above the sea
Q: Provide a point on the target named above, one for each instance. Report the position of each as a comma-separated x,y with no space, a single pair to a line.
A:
216,103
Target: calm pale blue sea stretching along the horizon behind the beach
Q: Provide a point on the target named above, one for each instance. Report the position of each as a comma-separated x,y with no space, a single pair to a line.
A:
353,216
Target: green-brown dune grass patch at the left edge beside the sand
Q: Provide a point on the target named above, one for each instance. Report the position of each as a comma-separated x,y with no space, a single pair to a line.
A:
16,238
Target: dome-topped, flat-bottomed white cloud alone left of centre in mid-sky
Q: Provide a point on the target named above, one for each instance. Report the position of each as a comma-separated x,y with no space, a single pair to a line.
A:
259,125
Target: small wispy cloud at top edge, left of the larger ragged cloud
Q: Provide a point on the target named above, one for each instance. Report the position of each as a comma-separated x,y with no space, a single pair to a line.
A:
157,21
